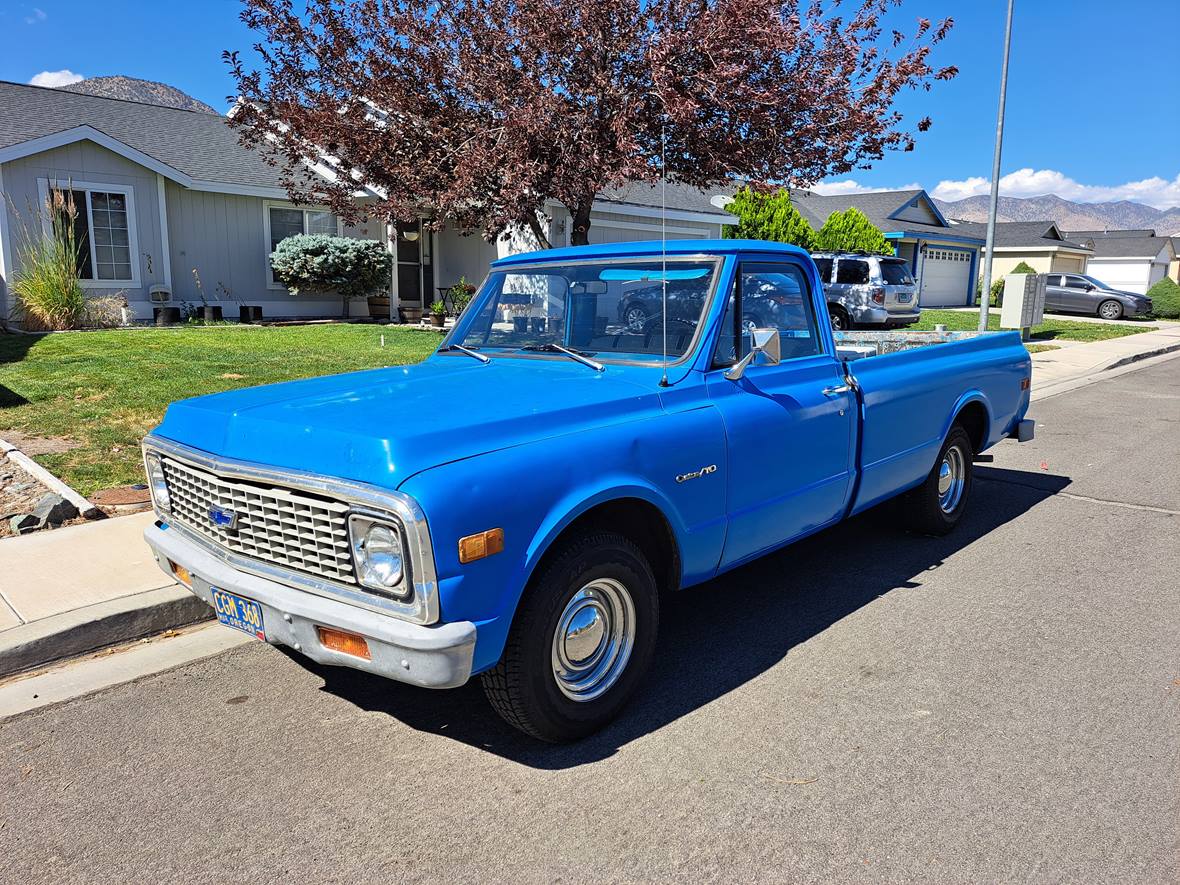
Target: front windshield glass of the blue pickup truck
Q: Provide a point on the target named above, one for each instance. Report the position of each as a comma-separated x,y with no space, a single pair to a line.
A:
600,309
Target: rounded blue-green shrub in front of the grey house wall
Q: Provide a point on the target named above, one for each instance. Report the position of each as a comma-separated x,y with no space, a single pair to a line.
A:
320,264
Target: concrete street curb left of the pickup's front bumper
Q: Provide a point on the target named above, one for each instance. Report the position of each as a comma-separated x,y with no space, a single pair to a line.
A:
96,627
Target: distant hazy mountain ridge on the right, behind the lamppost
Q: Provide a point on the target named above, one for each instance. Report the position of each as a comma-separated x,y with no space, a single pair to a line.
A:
1120,215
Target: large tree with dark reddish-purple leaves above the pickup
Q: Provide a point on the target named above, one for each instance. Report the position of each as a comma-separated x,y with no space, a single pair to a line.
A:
480,113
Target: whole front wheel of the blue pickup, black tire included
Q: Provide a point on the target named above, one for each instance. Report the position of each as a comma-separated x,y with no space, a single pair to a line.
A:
581,643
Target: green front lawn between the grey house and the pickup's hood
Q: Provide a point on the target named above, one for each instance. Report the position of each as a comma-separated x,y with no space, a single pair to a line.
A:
106,390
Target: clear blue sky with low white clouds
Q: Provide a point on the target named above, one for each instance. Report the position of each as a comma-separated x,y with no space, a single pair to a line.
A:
1092,96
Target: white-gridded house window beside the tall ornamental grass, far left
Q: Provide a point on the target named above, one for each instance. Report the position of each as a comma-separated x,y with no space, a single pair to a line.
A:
102,230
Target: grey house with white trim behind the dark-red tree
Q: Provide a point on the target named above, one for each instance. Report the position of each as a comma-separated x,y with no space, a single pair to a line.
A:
173,206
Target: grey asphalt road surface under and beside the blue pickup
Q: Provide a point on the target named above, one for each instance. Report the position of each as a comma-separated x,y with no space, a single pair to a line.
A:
1001,705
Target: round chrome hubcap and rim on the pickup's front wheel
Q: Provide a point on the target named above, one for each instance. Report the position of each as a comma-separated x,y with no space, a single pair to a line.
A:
594,640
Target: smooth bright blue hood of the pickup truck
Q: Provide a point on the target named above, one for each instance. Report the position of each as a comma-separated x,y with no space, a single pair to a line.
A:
382,427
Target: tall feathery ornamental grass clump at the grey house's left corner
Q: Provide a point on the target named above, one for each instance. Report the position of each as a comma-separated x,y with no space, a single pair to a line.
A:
47,286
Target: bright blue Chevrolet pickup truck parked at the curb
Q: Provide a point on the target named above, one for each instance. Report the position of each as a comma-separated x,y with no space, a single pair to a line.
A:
515,506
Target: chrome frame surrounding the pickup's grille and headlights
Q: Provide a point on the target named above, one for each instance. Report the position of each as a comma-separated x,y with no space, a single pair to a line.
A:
423,608
